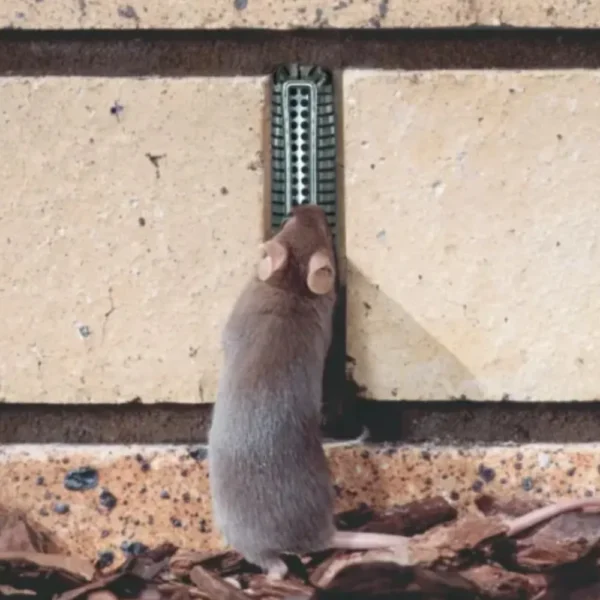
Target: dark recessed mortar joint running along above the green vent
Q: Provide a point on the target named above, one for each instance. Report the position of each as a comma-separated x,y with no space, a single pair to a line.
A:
181,53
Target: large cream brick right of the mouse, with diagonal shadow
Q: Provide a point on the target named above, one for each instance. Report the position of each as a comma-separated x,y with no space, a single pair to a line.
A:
472,234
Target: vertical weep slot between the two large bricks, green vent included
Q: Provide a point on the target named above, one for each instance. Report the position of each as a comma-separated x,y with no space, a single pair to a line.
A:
303,156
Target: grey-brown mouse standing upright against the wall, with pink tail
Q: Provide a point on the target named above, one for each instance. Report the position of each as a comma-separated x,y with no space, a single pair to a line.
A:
271,489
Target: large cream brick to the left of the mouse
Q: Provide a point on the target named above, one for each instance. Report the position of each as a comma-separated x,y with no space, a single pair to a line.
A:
118,273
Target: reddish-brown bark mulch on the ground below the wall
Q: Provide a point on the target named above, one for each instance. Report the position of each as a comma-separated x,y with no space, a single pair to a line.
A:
467,557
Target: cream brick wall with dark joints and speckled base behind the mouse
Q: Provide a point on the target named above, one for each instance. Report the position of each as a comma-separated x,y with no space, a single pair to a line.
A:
134,163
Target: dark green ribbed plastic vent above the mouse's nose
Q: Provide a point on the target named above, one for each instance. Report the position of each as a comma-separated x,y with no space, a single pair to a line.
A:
303,142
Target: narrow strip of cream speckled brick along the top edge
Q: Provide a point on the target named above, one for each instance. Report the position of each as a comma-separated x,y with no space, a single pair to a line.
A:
287,14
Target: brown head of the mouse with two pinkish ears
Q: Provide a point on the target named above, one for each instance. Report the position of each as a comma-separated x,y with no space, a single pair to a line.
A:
300,257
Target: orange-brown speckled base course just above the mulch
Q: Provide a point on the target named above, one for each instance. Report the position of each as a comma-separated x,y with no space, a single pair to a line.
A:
162,491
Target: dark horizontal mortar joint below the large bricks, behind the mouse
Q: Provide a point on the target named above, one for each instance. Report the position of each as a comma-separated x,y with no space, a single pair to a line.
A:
457,423
